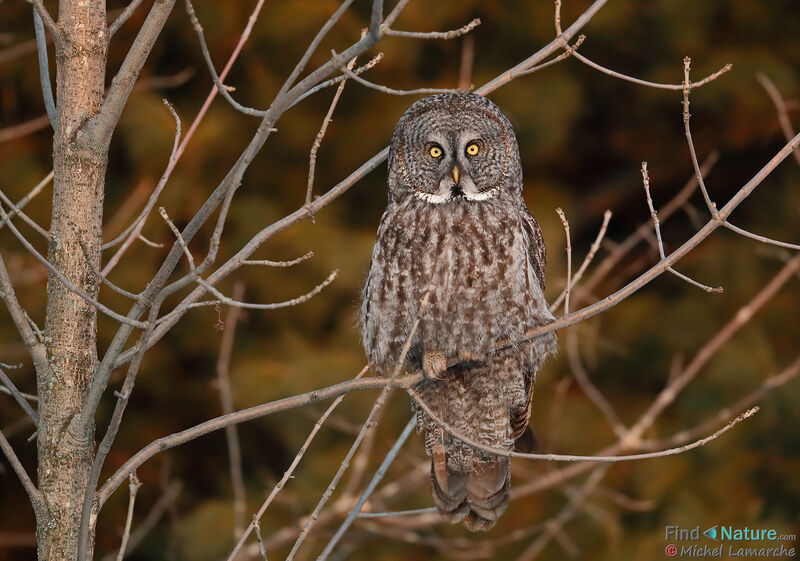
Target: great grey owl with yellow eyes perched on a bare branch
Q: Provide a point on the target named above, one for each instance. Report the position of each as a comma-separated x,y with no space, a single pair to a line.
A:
456,229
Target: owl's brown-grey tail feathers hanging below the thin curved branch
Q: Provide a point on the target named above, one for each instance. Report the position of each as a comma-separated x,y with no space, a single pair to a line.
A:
477,497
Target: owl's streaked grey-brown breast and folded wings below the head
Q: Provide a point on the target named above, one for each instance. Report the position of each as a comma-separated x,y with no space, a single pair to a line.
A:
483,265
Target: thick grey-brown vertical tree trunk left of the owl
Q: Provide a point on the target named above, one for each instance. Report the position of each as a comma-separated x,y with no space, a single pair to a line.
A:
71,326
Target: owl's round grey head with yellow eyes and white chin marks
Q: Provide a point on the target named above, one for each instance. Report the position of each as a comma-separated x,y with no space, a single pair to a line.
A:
454,148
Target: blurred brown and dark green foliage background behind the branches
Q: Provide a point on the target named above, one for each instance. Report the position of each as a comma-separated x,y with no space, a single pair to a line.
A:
582,137
